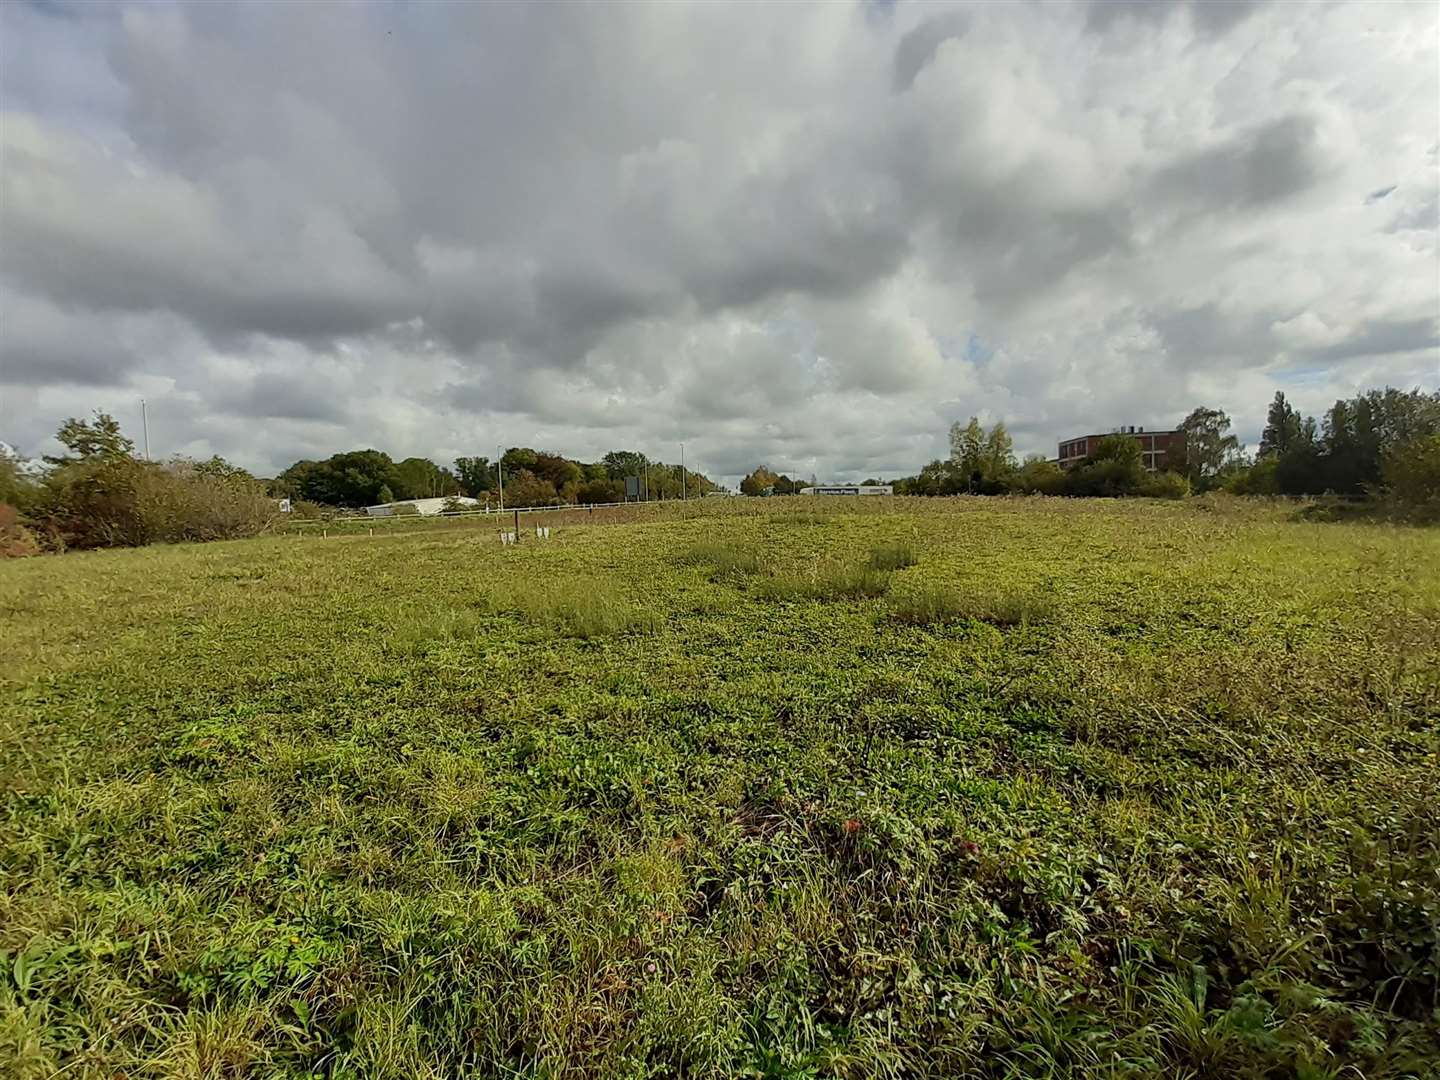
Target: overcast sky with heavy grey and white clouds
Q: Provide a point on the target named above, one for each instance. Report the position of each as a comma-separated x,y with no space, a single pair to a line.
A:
800,235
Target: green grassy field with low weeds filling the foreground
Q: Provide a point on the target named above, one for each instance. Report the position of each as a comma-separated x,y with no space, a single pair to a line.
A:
950,788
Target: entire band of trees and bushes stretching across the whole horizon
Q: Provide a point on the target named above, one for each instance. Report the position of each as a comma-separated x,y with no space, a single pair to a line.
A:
1382,446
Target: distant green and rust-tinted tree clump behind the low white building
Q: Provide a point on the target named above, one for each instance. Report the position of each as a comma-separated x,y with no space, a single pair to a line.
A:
532,479
